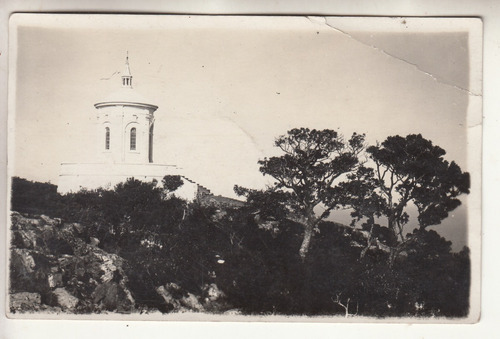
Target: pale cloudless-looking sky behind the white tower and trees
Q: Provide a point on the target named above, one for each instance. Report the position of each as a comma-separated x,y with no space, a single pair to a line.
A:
227,86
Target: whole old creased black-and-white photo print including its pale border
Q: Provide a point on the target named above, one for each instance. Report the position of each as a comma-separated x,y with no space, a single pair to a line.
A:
244,168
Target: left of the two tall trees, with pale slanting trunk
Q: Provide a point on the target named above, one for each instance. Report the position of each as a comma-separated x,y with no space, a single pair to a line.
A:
305,174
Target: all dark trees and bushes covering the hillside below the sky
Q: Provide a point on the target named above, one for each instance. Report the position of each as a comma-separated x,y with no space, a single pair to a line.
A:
275,255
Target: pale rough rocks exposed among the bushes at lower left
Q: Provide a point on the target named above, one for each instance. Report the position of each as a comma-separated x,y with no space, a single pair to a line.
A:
53,268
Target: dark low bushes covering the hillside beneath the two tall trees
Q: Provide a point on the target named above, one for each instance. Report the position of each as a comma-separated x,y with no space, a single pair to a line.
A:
255,264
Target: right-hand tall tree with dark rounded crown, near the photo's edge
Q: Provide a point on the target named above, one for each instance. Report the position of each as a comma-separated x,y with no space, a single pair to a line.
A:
412,169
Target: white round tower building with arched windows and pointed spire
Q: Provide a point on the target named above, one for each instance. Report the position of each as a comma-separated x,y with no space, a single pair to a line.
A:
124,127
